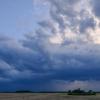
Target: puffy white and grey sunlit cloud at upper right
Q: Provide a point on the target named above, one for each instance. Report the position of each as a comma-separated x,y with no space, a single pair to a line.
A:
68,24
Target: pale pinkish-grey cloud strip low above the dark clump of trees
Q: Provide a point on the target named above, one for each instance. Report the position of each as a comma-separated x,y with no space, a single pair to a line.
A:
70,85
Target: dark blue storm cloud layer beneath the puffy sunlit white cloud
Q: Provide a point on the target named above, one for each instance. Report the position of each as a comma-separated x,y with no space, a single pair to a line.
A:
28,63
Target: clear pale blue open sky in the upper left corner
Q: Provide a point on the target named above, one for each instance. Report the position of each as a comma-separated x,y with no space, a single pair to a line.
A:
16,17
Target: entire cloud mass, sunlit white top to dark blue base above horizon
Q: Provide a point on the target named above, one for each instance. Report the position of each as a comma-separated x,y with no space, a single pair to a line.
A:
66,47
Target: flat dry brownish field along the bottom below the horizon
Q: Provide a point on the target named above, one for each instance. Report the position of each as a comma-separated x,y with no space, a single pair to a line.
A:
45,96
